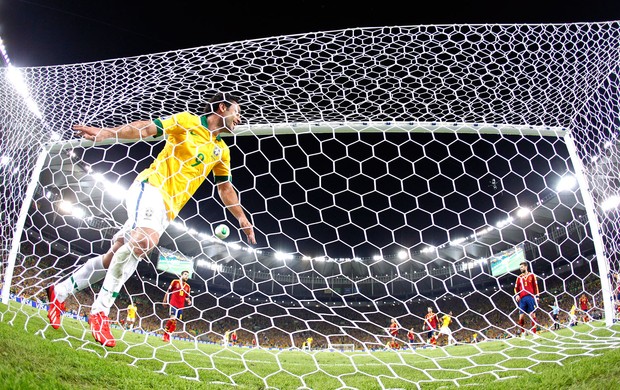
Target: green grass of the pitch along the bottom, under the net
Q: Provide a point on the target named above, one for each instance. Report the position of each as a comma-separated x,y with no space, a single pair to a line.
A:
42,357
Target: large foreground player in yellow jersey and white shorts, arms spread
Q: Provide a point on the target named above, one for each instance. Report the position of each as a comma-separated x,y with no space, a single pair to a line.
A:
194,148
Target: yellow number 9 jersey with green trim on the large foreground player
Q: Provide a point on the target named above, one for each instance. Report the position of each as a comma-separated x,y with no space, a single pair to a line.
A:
190,154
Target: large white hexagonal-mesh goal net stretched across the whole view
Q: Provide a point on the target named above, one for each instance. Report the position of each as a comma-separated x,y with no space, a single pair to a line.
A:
389,172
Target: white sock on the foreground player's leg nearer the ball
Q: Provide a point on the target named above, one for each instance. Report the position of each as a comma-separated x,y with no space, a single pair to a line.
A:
122,266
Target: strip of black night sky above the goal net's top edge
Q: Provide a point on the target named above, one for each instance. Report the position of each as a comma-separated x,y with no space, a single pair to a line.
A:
42,32
